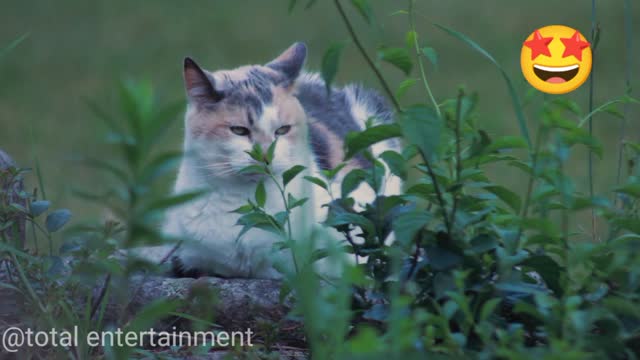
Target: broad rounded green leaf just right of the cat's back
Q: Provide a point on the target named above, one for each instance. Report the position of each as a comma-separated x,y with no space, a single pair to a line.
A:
421,127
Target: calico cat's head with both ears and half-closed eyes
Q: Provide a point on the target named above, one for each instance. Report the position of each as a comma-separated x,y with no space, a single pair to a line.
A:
232,111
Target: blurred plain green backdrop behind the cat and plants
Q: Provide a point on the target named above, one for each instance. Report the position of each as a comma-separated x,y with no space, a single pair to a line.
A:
78,50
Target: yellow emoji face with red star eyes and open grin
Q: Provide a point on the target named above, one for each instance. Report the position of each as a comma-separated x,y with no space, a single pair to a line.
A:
556,59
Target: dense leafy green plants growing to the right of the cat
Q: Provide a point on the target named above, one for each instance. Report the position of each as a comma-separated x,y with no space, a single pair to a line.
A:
477,270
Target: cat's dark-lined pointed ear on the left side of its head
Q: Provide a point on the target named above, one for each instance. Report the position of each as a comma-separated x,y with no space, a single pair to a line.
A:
200,86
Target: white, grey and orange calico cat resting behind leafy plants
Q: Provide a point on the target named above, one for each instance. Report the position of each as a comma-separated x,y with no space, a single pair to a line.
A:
228,112
